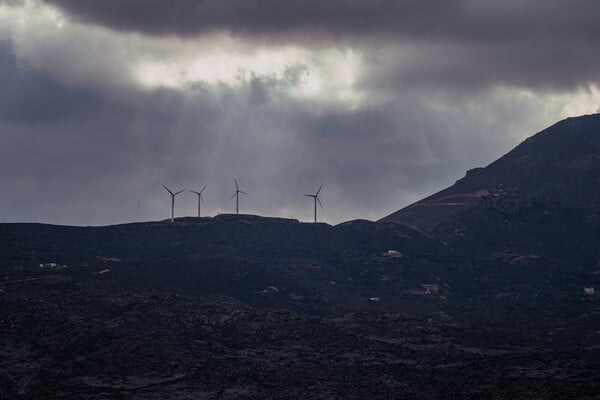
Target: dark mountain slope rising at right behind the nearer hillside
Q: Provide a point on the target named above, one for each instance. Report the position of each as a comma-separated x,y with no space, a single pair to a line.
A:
560,163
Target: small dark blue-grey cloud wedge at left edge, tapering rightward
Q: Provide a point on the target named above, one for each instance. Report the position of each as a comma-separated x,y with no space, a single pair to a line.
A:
28,95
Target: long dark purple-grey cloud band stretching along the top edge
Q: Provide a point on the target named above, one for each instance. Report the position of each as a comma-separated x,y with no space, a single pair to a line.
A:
473,19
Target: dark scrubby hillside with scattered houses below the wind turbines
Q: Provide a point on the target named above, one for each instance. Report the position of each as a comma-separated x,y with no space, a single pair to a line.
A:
253,308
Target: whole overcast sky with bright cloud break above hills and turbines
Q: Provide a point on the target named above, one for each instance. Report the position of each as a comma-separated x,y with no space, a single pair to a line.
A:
382,101
